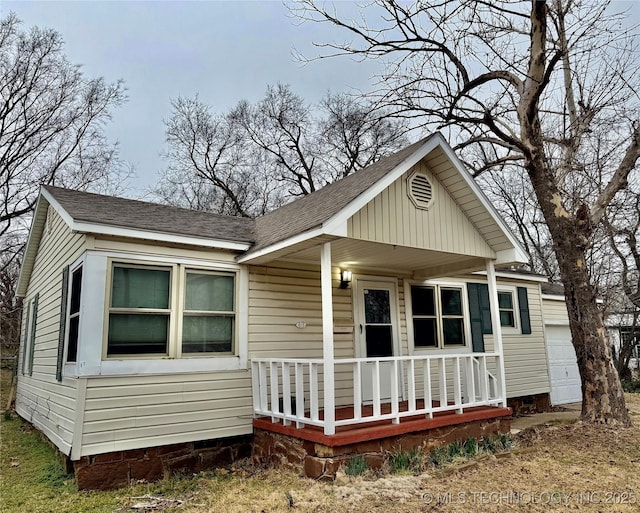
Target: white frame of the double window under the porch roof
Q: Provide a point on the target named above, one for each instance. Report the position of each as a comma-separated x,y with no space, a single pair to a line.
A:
441,348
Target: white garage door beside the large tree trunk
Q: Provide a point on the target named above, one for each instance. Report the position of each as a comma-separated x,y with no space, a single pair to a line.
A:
563,369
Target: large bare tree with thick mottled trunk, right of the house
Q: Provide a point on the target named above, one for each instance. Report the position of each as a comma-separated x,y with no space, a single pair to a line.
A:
524,84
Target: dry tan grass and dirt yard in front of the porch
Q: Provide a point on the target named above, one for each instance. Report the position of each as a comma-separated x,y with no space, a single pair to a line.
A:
555,467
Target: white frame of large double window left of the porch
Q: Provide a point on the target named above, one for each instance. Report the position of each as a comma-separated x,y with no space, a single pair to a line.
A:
175,312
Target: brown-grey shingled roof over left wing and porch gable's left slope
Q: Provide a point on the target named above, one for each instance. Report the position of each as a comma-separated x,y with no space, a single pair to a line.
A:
296,217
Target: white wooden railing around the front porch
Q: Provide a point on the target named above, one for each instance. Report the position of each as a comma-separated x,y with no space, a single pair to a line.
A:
290,389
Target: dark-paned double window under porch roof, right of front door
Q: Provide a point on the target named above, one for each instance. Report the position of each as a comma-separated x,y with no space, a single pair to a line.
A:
438,319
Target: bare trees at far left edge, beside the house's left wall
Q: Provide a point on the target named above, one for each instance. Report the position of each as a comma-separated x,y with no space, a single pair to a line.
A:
51,132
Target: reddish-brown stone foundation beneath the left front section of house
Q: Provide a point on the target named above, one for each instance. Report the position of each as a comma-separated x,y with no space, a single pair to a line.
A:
117,469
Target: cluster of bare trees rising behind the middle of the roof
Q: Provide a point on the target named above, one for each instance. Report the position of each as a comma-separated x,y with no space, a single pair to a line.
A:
257,156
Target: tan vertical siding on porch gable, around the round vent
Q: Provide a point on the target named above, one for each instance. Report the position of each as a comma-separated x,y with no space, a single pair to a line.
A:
392,218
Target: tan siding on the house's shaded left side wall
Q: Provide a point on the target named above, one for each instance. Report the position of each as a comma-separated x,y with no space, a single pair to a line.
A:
46,403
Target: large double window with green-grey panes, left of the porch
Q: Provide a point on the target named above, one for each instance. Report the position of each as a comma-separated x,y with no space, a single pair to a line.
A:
170,311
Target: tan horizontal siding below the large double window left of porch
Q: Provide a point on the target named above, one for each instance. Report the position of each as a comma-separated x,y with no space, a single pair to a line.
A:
145,411
